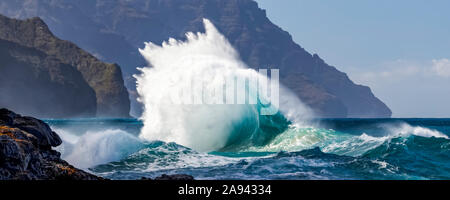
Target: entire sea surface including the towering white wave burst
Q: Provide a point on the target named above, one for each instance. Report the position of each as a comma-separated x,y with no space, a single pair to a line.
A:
189,126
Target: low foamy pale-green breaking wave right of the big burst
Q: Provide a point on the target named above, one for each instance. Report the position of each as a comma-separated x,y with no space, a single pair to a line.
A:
332,141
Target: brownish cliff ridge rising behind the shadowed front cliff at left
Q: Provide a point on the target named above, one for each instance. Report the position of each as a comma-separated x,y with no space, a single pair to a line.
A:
106,79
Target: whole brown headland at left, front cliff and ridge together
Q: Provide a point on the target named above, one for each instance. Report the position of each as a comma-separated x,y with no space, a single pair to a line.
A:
34,45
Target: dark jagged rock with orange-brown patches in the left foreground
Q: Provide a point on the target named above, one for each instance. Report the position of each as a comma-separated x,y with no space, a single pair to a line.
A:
26,151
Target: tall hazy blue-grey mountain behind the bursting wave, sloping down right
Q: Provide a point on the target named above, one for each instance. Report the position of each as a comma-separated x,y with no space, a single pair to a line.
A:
260,43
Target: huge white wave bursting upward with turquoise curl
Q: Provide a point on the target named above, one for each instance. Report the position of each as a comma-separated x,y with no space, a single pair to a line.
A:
199,69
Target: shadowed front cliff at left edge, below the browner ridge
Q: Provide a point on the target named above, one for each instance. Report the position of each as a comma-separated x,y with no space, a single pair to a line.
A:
35,83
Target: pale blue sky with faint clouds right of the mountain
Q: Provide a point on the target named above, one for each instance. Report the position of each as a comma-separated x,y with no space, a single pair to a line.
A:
400,49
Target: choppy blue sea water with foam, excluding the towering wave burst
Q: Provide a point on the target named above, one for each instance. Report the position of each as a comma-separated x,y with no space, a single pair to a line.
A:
328,149
